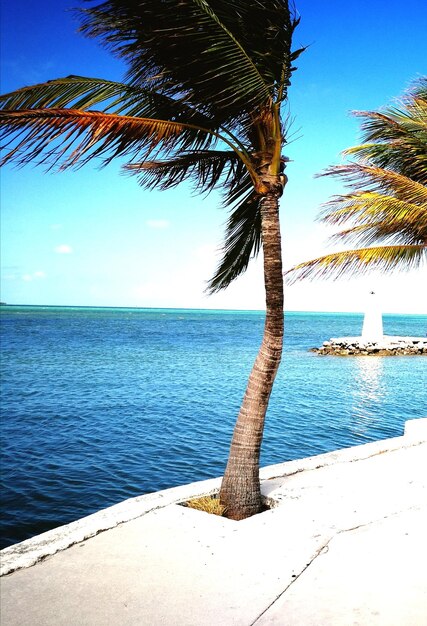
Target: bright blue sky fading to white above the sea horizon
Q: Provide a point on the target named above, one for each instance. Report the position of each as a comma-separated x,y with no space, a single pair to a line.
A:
95,238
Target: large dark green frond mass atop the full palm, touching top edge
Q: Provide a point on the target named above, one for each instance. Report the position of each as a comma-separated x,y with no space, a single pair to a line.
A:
237,48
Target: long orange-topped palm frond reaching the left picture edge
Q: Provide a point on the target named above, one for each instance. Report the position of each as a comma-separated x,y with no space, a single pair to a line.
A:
72,137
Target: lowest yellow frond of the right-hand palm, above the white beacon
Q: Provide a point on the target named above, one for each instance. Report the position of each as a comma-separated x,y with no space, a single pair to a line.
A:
356,262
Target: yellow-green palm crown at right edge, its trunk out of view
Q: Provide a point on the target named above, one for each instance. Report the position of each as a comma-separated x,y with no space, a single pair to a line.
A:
387,204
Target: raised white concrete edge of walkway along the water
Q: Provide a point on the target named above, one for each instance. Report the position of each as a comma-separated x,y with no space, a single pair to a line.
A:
28,552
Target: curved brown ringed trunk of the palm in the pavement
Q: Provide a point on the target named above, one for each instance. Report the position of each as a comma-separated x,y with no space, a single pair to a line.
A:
240,490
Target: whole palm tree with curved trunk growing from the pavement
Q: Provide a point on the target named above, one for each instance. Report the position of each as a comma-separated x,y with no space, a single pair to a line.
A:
205,85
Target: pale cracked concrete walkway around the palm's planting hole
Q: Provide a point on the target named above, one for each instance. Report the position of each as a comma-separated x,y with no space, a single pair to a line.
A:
345,545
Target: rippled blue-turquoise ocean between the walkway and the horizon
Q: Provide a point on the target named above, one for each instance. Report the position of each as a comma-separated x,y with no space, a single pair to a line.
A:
102,404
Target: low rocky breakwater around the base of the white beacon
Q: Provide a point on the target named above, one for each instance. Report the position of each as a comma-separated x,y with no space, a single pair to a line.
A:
387,346
